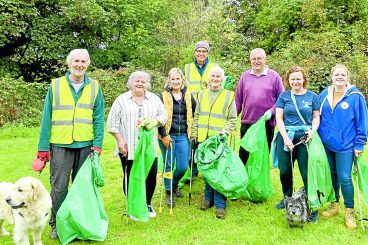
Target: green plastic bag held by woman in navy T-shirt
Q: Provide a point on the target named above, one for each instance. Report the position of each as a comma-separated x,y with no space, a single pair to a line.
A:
320,188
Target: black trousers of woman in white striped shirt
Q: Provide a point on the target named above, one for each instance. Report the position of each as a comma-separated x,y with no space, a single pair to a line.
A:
150,180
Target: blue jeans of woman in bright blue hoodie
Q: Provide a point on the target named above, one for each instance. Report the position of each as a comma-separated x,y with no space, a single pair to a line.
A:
340,166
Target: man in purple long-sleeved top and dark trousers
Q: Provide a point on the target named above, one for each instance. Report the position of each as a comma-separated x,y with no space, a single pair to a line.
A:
256,95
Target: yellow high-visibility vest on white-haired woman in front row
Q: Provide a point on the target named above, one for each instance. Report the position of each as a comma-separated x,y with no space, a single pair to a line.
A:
212,119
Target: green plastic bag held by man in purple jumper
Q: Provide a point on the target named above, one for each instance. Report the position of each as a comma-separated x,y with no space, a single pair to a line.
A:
258,165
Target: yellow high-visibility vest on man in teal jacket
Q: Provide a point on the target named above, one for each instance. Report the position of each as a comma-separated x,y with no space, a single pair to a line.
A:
72,121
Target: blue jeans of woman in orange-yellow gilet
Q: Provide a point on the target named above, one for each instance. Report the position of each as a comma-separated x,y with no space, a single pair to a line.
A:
180,155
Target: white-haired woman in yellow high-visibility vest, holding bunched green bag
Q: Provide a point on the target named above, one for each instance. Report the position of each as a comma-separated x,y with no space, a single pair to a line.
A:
215,114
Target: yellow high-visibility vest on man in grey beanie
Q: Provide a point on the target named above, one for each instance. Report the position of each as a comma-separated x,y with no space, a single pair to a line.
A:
196,81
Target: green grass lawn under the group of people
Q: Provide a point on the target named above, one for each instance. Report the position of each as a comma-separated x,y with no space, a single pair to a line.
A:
245,223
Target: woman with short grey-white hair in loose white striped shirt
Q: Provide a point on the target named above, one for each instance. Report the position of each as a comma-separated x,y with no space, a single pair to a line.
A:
127,114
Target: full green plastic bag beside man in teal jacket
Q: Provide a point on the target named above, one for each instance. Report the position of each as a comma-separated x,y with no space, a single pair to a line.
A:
82,214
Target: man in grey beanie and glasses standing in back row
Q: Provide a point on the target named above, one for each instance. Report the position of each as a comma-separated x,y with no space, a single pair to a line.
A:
197,72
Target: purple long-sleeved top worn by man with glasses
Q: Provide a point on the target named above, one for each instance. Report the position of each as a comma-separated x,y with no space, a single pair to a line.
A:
257,94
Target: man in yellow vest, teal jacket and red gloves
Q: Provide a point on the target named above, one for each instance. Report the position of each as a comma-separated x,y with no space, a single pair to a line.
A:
72,126
